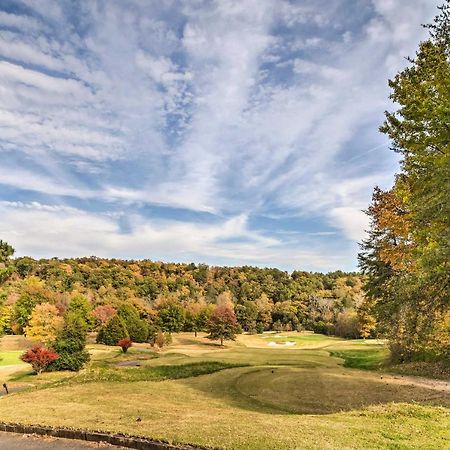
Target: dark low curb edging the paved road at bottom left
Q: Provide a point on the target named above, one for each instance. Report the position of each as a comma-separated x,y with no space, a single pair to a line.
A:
95,436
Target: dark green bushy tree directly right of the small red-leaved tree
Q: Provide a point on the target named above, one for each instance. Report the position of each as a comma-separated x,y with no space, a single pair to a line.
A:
70,344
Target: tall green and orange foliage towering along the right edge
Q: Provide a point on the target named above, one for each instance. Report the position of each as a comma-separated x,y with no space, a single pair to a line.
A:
406,255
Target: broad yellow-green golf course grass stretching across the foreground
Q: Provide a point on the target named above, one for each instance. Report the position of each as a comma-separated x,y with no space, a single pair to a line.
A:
249,396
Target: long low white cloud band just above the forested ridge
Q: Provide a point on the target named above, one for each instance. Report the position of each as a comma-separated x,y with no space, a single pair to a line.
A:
40,229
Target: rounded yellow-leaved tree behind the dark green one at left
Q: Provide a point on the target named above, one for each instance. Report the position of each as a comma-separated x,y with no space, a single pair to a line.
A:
44,324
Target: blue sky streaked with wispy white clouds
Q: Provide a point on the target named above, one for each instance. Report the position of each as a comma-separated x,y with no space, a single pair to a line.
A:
228,132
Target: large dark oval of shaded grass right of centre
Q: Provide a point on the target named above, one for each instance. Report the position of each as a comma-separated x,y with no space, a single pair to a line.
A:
288,390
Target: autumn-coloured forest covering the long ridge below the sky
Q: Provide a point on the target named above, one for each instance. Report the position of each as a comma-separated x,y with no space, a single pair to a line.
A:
171,297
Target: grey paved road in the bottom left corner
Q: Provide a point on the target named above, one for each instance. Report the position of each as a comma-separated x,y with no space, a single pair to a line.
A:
13,441
